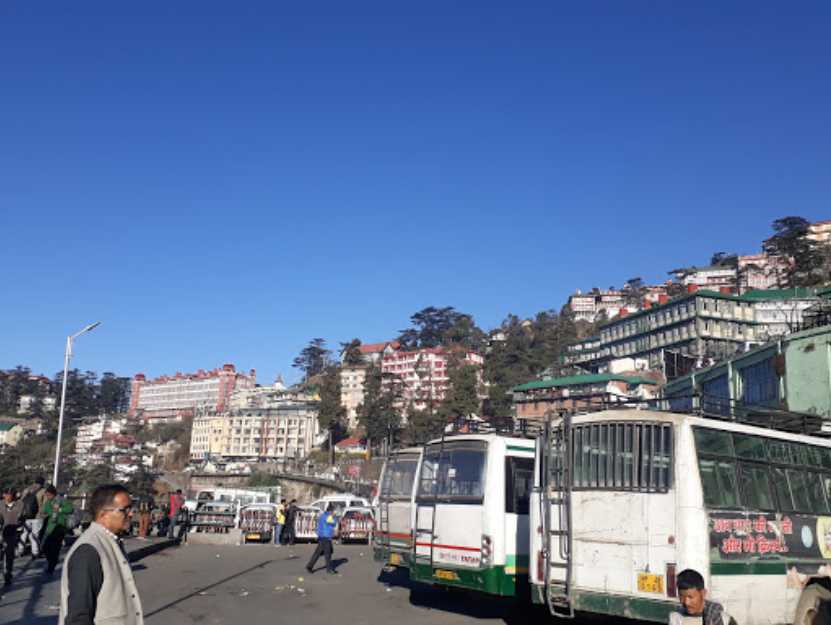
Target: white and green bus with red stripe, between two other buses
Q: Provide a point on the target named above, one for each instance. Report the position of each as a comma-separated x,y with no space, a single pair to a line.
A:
471,520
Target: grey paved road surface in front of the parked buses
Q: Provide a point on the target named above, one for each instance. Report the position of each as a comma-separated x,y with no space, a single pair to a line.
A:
259,584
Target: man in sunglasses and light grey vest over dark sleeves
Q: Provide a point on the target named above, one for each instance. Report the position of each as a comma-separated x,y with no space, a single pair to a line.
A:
97,583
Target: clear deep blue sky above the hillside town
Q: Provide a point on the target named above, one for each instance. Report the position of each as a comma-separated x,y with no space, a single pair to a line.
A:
221,182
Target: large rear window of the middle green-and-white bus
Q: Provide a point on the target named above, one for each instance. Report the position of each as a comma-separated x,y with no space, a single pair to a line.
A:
458,475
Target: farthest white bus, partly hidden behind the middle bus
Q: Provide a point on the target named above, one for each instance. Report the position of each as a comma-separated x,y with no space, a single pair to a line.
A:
392,541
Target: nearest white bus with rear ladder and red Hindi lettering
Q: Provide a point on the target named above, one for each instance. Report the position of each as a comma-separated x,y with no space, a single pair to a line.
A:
625,499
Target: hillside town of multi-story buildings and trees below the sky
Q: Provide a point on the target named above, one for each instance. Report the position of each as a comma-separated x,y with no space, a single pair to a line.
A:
635,343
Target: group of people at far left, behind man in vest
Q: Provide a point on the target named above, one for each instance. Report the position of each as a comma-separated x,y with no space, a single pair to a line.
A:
39,516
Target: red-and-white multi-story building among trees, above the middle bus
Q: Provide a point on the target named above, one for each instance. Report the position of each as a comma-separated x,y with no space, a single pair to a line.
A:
423,374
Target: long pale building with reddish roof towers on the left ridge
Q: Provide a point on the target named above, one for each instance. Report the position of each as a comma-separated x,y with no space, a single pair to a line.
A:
170,398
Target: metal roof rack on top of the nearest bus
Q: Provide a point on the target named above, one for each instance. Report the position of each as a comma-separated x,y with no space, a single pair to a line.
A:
723,409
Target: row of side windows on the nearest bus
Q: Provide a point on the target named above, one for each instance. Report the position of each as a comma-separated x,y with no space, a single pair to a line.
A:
757,473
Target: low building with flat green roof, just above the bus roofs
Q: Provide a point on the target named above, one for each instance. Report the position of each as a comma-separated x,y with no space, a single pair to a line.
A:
534,399
